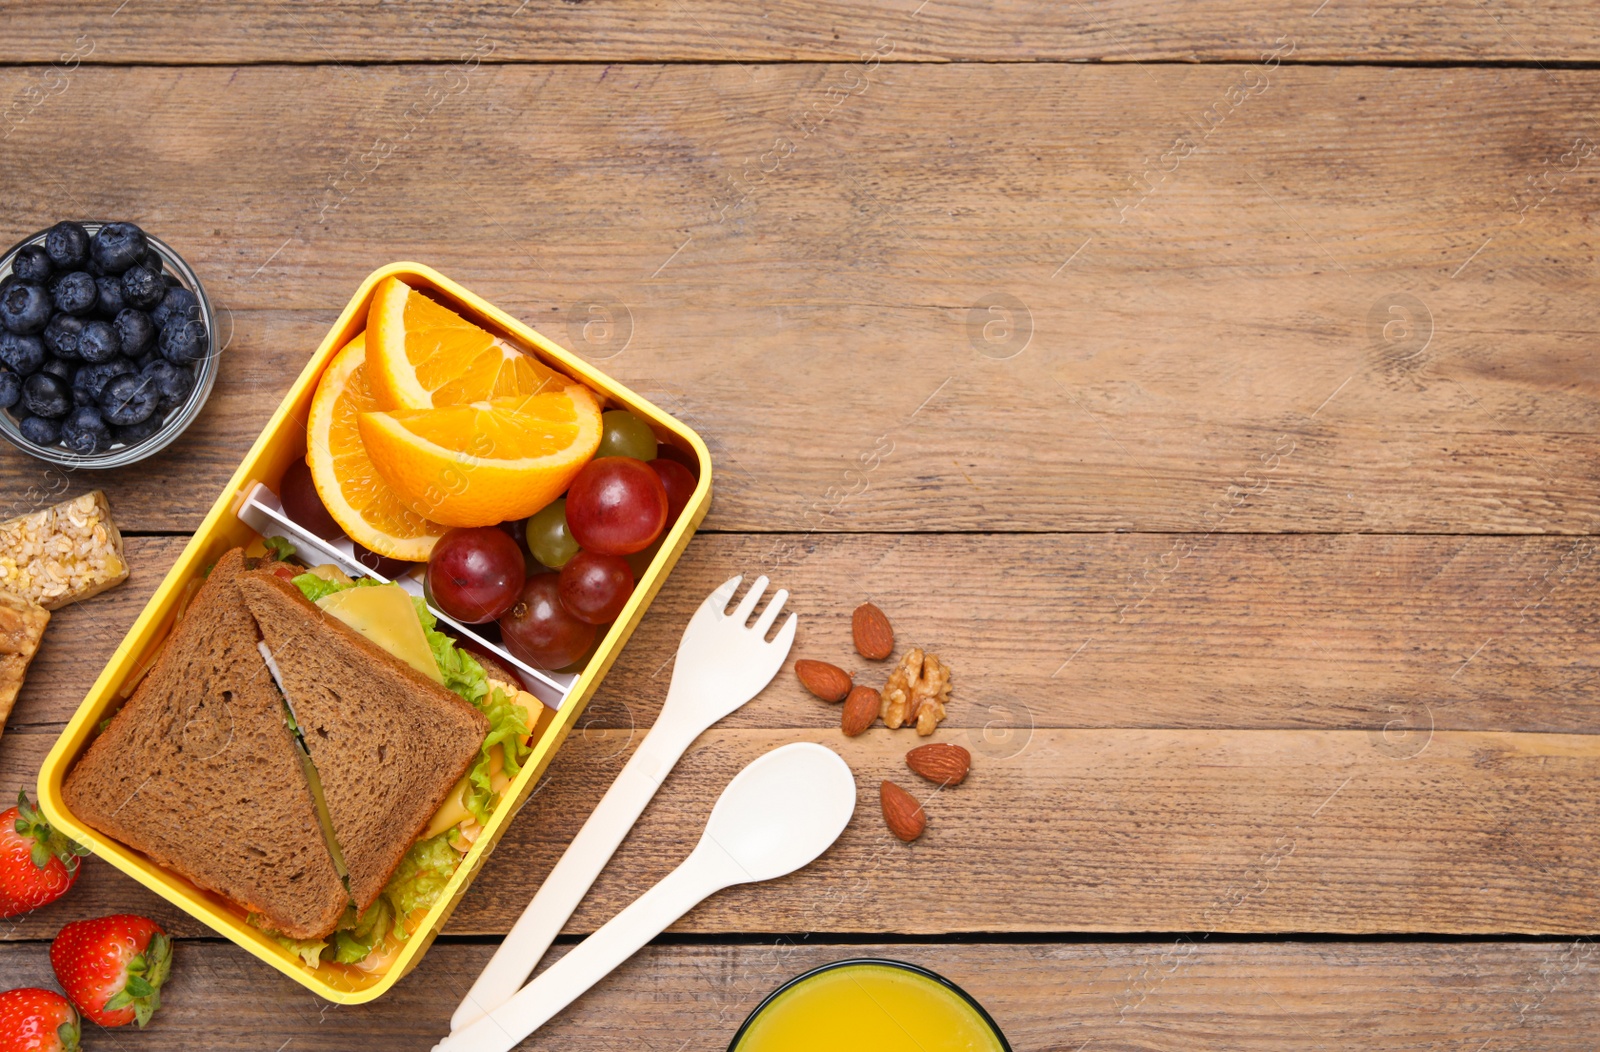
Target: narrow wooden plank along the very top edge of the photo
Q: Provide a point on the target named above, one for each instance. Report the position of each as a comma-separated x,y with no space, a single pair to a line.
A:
726,31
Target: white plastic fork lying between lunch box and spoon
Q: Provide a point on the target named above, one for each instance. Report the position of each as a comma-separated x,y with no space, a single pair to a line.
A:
721,666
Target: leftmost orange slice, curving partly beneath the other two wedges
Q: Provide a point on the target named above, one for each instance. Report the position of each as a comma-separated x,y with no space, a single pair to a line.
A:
364,506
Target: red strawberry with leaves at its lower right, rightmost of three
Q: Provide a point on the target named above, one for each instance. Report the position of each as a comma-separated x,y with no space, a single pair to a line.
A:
113,966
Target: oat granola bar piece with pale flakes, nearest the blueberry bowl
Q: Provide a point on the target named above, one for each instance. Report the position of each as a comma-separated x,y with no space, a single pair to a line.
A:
62,554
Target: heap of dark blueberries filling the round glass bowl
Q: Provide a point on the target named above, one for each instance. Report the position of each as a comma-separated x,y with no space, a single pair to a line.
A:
102,345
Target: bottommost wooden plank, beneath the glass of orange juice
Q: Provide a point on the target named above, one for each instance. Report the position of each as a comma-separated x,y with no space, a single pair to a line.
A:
1126,997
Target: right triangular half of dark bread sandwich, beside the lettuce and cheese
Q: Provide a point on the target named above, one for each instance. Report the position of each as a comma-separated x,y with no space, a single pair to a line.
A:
388,743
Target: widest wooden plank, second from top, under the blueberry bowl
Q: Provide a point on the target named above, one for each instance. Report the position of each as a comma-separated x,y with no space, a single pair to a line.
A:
825,324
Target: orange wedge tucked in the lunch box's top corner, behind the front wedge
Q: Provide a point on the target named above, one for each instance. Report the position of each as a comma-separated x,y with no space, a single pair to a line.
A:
425,356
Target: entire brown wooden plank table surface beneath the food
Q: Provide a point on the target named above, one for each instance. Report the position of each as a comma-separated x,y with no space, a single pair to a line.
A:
1214,386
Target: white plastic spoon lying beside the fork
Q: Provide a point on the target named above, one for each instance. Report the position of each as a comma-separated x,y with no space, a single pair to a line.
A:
778,815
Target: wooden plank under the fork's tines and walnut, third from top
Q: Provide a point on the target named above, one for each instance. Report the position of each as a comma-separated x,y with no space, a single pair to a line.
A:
1111,631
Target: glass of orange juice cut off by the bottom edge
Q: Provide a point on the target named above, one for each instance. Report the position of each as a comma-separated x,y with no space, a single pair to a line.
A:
870,1005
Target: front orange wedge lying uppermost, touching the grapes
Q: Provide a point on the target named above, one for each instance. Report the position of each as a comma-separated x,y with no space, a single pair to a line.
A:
489,461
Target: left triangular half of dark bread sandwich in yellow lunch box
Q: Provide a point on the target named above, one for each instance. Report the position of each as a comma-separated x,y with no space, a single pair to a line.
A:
201,773
